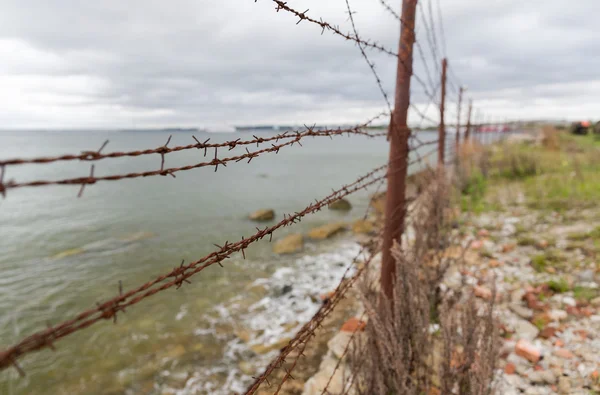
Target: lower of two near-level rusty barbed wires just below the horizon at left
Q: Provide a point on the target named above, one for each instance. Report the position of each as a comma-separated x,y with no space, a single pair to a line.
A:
216,161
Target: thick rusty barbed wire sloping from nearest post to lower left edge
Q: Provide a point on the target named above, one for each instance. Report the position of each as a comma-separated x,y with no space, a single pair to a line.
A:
178,276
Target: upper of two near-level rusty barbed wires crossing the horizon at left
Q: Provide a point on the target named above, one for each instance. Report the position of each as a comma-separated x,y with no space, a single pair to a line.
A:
88,156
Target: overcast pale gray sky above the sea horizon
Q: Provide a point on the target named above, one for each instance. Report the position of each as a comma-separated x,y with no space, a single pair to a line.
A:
139,63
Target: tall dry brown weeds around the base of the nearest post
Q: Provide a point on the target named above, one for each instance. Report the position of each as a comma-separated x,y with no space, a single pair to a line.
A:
403,352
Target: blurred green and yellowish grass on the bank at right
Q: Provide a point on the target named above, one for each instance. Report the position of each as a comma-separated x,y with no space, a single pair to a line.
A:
557,173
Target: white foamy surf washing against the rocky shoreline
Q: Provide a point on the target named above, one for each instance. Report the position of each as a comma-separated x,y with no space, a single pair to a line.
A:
276,316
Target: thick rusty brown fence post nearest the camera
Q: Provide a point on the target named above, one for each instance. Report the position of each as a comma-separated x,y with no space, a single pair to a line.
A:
398,161
